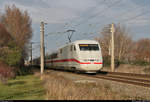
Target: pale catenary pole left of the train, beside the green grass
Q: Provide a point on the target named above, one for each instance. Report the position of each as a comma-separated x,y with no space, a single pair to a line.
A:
42,48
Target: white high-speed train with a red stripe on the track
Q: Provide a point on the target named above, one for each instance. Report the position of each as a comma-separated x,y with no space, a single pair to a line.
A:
81,56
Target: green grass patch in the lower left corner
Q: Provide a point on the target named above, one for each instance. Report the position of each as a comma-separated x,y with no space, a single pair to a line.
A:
26,87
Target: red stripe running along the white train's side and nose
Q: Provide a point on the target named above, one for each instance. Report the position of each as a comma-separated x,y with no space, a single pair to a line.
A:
72,60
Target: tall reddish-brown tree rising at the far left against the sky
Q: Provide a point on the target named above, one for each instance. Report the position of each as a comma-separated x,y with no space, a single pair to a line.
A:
18,24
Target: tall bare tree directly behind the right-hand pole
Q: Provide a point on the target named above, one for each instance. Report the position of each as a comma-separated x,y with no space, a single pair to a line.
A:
121,38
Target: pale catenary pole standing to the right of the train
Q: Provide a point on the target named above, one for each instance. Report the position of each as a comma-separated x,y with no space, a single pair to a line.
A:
112,47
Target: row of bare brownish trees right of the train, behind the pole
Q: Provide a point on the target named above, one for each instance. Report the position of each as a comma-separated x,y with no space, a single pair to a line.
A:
127,50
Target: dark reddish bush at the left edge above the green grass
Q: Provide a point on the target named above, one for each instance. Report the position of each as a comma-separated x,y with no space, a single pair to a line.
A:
6,73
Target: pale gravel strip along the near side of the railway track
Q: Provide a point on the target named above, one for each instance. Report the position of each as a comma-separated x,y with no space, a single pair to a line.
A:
127,90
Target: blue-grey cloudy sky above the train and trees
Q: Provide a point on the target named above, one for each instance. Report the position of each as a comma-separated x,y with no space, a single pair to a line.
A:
86,17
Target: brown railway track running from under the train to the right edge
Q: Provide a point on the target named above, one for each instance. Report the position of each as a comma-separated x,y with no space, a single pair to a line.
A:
127,78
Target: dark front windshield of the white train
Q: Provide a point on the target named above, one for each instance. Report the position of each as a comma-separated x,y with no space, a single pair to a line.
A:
88,47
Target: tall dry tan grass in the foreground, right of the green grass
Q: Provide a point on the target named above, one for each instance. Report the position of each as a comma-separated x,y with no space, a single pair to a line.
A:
59,88
